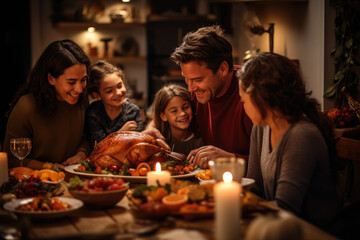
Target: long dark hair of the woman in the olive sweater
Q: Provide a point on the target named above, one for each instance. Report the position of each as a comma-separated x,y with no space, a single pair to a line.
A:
57,57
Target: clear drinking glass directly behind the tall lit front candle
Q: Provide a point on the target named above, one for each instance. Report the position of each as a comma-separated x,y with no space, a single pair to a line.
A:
236,166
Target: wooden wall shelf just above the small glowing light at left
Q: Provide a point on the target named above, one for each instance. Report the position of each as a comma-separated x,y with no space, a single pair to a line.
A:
86,25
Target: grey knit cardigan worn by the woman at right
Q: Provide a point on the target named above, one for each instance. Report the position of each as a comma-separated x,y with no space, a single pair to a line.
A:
296,174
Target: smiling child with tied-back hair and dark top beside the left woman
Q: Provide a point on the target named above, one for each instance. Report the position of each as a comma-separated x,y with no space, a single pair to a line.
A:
114,112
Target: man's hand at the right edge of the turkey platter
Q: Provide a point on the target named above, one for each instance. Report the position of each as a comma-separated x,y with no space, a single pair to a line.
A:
202,155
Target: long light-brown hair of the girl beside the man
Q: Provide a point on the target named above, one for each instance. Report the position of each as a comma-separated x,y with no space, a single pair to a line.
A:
161,100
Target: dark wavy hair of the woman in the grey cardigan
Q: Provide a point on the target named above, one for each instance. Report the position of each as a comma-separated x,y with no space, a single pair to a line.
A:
275,82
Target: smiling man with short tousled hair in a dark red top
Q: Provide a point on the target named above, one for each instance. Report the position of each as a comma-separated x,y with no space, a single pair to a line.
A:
206,62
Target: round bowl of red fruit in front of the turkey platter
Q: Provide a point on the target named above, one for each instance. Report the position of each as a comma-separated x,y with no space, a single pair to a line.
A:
98,192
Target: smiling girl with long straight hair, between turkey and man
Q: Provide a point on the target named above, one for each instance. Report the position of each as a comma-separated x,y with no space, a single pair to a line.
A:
173,117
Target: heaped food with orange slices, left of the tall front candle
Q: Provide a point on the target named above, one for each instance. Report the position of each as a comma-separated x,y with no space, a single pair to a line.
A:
179,198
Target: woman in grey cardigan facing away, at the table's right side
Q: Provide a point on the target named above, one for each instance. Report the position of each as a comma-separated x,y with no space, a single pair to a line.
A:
292,146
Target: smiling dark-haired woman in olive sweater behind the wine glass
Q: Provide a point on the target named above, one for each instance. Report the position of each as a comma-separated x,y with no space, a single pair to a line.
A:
50,108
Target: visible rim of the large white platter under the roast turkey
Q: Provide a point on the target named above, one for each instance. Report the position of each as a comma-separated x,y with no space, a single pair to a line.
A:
132,179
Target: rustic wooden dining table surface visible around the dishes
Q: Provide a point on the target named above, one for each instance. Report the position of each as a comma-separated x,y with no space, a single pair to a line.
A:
120,222
